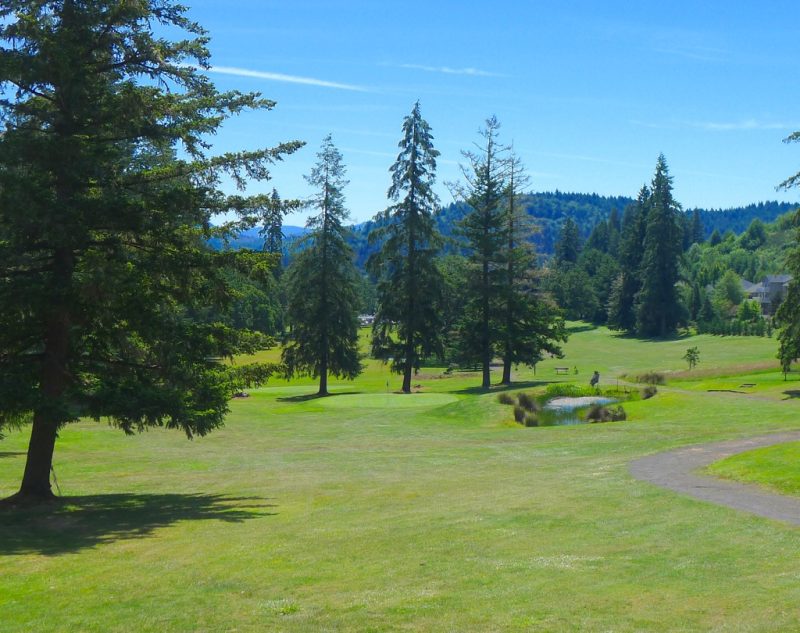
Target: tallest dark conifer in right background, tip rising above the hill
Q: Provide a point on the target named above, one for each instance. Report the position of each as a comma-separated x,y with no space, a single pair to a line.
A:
658,308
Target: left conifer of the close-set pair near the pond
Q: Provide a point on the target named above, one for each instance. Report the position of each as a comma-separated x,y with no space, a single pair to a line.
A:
485,230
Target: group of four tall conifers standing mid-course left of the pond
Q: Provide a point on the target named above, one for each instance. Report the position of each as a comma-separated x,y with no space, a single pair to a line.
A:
471,307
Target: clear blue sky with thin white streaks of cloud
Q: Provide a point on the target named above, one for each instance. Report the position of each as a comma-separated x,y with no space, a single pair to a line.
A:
588,92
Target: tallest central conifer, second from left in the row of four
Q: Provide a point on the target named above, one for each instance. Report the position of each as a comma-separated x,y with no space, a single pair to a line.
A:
408,323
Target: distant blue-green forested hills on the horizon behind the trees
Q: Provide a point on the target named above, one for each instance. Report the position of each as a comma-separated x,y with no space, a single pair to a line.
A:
549,210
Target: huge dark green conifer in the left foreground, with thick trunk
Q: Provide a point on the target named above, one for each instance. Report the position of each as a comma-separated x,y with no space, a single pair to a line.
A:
103,226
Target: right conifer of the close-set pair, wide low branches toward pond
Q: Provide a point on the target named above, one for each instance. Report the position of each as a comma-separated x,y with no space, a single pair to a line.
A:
529,325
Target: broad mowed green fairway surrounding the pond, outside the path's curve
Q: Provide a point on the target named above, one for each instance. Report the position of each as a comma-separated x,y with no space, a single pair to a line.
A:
372,511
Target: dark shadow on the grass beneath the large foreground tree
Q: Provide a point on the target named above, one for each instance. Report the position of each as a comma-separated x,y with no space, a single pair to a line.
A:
70,524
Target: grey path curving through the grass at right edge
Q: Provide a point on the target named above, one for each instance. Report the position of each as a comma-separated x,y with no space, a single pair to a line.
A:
675,470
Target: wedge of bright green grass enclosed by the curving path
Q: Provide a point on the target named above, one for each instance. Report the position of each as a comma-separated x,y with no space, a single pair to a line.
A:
776,467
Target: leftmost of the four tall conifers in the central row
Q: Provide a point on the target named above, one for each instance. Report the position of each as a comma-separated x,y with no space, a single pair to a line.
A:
322,283
